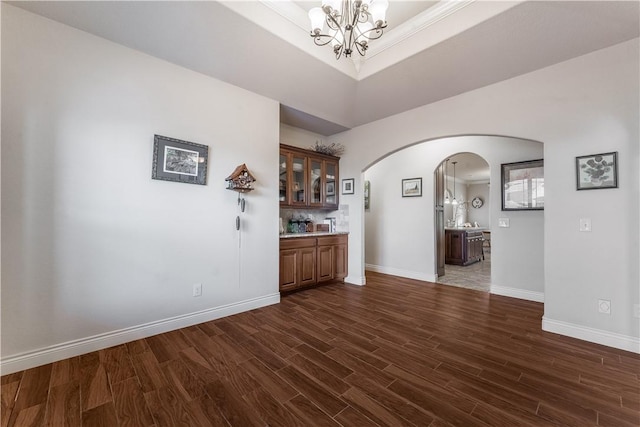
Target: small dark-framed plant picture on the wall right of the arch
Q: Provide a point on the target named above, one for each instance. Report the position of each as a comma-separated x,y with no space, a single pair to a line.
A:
597,171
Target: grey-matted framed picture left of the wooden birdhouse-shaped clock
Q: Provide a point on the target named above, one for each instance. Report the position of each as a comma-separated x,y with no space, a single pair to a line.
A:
179,161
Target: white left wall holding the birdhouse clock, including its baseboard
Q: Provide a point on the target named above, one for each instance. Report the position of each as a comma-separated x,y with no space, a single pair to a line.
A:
95,252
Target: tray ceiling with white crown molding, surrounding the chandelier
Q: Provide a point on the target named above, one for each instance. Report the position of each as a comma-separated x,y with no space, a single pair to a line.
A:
429,52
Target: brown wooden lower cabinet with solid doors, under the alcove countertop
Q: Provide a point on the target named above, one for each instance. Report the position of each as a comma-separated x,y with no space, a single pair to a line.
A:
307,261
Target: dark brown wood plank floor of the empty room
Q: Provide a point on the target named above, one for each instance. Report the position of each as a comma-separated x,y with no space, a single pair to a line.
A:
395,352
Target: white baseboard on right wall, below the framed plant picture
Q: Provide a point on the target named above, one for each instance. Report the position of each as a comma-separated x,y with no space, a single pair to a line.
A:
597,336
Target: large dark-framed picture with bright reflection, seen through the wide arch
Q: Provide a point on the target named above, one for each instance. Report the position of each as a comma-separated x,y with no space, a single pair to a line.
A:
523,186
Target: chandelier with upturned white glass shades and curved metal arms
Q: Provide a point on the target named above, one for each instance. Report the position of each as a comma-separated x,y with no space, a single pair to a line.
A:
349,24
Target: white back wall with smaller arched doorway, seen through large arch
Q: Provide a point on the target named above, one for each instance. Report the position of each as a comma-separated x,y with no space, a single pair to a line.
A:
399,233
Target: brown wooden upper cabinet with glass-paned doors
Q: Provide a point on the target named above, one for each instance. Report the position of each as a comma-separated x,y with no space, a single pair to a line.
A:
308,179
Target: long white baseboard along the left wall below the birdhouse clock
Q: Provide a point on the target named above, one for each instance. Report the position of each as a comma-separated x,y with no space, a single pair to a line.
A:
62,351
